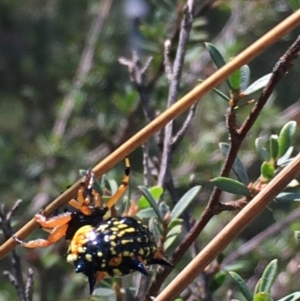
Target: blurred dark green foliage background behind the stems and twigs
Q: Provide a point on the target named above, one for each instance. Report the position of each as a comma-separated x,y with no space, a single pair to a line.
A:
42,45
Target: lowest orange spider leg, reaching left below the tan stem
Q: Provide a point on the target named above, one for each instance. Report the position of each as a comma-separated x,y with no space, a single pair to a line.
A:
56,234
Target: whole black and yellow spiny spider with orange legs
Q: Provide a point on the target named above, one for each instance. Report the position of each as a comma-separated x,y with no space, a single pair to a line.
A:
100,247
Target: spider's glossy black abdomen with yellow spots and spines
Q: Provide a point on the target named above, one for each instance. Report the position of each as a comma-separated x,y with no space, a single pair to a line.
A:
115,247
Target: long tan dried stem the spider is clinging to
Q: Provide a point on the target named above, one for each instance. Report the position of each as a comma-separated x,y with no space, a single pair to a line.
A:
158,123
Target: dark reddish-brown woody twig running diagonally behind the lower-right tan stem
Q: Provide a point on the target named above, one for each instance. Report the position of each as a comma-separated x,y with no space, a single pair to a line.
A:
214,206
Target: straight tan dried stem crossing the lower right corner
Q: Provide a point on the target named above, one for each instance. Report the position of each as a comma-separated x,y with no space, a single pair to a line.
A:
238,223
